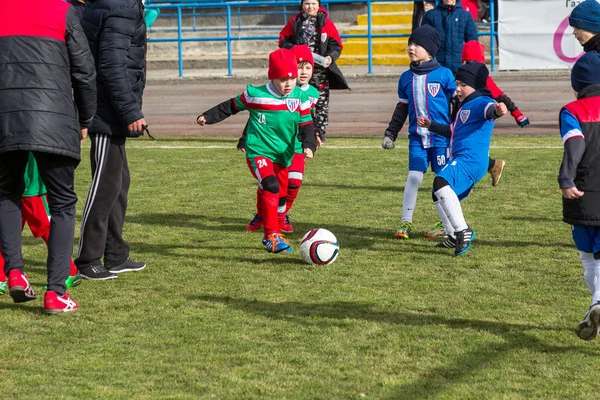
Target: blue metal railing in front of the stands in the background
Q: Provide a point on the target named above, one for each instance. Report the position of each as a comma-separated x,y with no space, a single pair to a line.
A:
188,8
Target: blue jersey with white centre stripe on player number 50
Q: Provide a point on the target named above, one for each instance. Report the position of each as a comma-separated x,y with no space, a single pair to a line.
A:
427,95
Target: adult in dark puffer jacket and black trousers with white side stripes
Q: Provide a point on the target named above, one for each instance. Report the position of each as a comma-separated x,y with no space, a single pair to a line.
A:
116,32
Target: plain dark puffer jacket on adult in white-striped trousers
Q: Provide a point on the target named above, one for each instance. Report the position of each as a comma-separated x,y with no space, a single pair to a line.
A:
116,32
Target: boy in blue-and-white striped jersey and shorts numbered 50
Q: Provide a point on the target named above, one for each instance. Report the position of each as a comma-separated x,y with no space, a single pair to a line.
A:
424,91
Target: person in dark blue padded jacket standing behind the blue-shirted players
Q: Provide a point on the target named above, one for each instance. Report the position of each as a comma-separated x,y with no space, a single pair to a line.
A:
456,27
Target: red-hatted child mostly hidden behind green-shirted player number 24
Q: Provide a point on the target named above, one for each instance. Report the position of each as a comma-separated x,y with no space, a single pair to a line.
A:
296,170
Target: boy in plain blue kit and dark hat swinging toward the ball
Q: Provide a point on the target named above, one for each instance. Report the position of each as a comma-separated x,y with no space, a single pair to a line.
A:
471,135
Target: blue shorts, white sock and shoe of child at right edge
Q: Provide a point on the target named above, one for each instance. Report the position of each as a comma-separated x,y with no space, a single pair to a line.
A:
587,241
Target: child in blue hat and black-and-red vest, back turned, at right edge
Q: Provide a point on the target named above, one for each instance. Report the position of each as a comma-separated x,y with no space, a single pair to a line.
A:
579,179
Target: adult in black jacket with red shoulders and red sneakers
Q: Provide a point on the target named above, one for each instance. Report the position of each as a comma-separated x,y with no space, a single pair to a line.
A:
45,64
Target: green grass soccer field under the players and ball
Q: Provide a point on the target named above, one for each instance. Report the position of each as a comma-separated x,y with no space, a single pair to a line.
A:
214,316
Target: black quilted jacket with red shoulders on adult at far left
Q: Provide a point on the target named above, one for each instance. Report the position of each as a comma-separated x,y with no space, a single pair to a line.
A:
47,78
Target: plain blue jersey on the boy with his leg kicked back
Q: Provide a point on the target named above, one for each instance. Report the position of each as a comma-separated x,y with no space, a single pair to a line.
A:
472,135
